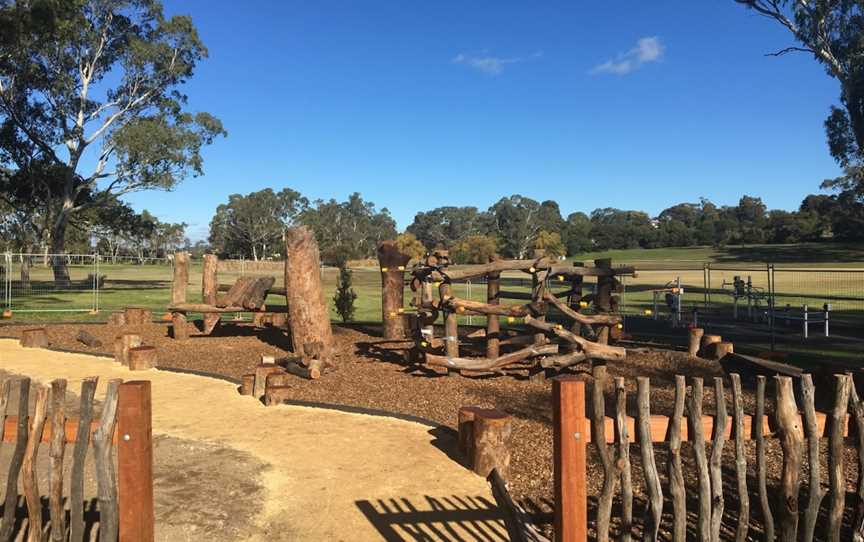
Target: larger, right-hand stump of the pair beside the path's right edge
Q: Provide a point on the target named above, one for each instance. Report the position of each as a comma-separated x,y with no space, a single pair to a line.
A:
492,434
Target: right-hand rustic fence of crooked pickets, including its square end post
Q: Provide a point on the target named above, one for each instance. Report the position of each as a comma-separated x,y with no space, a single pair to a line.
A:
777,510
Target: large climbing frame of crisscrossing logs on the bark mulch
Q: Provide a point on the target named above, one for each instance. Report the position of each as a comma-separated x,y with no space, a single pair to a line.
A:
543,342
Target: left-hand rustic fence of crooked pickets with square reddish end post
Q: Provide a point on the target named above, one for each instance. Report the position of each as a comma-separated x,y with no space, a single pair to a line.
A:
125,491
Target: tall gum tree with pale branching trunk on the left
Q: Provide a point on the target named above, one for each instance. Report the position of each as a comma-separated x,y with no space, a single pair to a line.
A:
91,88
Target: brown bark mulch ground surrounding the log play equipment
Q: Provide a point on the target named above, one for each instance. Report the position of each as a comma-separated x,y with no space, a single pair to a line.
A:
372,374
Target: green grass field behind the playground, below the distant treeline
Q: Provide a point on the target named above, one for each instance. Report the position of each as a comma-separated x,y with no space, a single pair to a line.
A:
830,279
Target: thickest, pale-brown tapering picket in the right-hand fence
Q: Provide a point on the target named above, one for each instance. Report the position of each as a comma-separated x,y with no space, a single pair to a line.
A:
791,438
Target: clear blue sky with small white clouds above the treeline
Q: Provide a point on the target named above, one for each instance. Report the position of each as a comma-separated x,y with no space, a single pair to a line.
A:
635,105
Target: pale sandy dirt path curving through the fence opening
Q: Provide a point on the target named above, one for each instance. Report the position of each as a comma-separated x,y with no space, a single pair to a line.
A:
325,475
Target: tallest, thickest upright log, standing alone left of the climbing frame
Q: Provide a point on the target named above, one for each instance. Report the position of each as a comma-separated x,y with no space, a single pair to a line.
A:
309,318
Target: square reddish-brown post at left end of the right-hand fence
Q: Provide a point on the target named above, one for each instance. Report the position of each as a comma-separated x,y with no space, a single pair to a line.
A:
570,432
